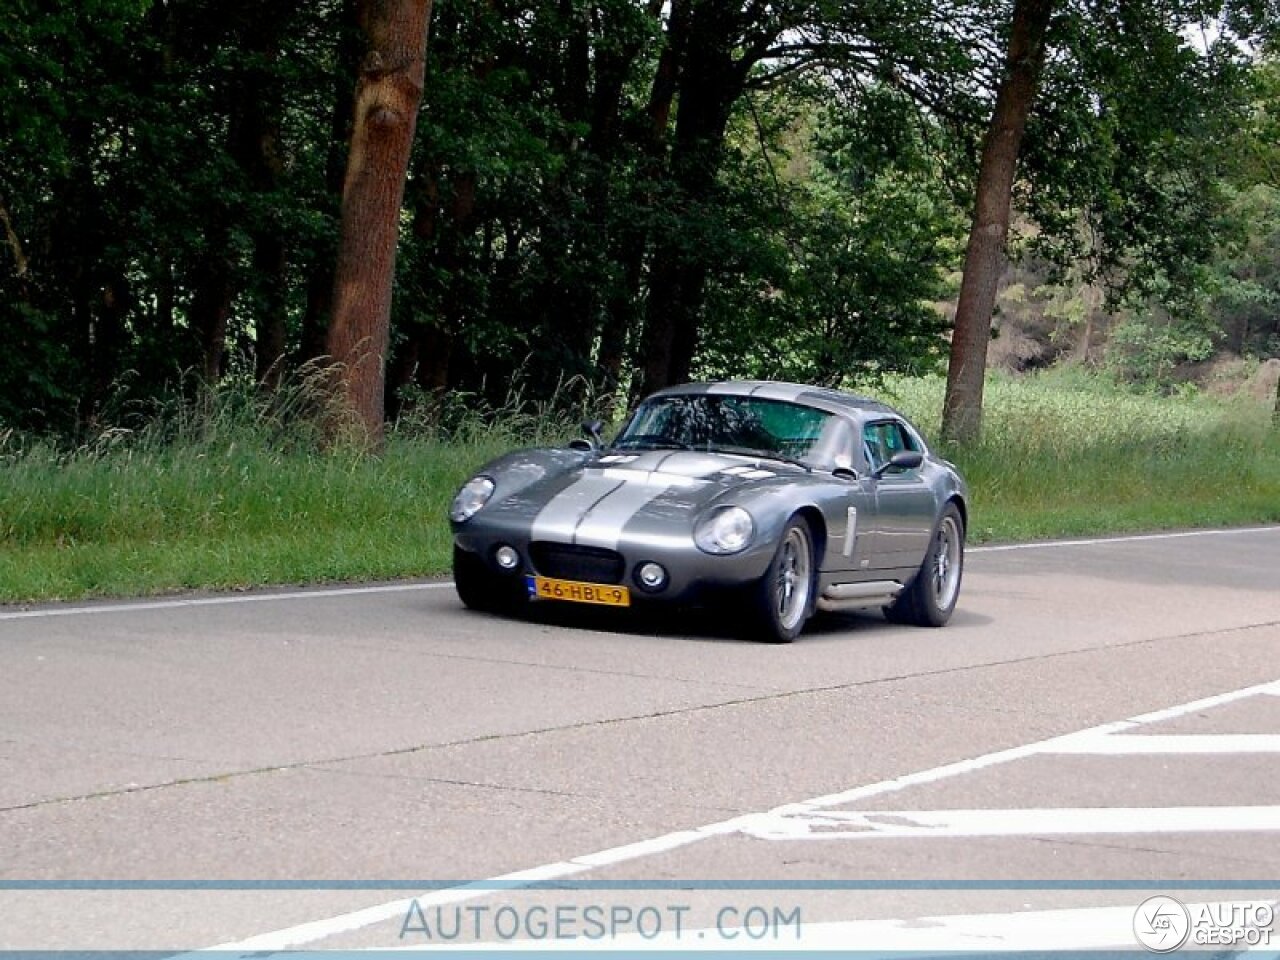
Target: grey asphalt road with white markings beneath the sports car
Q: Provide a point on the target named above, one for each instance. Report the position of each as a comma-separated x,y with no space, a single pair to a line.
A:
365,746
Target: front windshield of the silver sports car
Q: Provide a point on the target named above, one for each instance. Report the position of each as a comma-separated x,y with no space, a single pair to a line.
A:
729,424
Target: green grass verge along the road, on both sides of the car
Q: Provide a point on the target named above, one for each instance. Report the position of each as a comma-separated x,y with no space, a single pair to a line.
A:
237,497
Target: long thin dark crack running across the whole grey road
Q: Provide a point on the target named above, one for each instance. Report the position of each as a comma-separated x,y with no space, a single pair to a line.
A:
612,721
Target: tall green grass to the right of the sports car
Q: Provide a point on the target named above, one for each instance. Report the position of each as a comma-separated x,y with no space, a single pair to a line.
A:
1066,454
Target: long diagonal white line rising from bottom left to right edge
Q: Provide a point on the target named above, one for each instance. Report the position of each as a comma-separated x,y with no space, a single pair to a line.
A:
345,924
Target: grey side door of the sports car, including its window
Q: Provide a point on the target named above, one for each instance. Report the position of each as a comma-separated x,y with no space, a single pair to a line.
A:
904,504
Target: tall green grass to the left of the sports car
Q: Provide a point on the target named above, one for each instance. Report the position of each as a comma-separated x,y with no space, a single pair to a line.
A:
234,490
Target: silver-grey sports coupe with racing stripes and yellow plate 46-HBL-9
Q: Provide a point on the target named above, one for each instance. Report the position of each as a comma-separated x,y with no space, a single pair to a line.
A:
774,499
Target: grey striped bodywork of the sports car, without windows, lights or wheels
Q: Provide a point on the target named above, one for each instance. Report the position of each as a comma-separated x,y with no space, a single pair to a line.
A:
871,532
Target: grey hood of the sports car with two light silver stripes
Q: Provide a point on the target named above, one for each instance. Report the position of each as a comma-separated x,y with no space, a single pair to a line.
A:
600,500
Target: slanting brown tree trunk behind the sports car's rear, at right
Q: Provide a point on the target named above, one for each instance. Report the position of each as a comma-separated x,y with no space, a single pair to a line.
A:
985,258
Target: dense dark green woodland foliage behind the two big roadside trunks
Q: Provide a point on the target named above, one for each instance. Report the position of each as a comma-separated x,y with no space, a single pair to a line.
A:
604,195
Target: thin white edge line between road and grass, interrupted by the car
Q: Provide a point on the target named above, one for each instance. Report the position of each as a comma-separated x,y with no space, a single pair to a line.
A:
129,606
